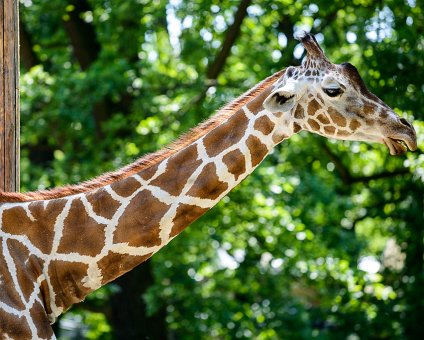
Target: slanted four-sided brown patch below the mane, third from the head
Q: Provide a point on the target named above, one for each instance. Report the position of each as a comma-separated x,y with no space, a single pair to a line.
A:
179,168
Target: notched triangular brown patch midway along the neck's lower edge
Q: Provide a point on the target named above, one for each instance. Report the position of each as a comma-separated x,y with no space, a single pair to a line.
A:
207,184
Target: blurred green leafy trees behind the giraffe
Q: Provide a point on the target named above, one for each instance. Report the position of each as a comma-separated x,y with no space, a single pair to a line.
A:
324,240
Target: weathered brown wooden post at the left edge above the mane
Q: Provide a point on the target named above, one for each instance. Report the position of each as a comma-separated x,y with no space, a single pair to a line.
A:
9,95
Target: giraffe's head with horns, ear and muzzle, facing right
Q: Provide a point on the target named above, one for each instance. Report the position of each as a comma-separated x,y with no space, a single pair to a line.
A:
333,101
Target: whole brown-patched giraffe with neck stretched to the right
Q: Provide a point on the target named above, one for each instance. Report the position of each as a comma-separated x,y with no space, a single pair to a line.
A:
57,246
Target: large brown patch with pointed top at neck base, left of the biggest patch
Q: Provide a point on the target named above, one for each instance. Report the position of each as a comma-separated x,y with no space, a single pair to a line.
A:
81,234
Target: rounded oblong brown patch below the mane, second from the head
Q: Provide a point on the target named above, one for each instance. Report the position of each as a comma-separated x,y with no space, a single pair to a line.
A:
226,134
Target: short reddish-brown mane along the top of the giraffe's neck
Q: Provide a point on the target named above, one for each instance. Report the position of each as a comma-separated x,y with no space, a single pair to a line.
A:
149,159
